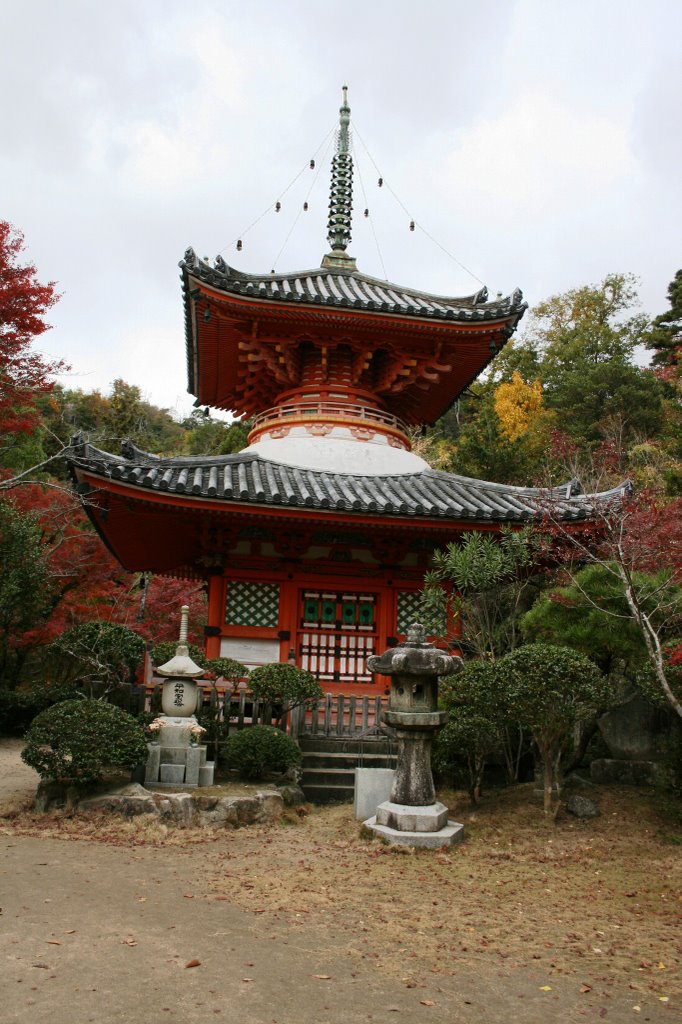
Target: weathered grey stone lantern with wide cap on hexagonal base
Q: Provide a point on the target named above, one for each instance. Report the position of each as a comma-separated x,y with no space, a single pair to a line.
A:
413,817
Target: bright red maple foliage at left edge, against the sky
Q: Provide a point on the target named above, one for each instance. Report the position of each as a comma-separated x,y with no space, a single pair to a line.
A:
24,304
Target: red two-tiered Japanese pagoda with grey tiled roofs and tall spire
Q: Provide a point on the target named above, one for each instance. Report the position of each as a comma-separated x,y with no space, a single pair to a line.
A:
315,540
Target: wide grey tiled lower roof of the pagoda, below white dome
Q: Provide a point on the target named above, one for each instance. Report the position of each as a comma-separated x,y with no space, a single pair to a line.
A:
244,479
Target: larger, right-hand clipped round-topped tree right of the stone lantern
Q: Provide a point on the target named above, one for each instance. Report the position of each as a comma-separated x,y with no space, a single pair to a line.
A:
551,690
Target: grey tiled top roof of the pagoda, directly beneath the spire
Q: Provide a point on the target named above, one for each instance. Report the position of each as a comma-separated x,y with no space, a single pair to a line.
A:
352,290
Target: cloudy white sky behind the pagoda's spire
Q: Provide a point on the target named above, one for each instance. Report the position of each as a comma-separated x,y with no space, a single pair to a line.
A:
537,141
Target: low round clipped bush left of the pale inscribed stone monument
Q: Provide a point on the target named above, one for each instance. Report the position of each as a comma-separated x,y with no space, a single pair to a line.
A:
79,742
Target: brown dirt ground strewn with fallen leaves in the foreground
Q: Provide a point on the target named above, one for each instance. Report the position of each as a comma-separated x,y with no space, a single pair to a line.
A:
309,922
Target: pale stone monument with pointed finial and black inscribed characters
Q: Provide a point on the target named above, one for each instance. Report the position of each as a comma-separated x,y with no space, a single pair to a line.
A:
177,759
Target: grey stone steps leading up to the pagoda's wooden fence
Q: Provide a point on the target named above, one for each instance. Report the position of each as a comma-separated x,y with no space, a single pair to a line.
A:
329,764
